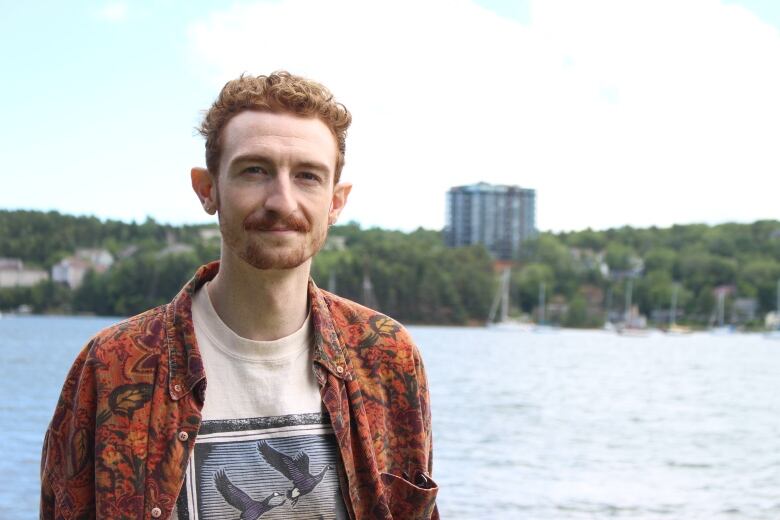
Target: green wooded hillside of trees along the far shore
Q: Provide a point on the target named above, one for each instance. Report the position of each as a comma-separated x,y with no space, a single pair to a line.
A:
415,278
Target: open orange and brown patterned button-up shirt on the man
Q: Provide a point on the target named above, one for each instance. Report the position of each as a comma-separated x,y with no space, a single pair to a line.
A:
129,413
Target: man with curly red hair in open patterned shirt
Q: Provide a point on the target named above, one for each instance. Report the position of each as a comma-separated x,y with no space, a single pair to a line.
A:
316,407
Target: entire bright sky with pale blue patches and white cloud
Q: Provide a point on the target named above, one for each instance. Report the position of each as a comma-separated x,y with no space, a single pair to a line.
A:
617,112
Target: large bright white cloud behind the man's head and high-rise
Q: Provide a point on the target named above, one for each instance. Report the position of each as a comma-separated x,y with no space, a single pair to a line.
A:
617,112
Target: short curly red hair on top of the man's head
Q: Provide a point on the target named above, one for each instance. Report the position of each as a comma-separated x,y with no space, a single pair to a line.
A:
278,92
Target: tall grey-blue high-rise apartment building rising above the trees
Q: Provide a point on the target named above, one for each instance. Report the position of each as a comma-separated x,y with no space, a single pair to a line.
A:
499,217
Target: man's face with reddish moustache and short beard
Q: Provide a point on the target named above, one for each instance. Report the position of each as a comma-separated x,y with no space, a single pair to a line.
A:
275,192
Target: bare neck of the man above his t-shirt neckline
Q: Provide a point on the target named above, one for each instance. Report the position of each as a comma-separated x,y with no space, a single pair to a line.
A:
257,304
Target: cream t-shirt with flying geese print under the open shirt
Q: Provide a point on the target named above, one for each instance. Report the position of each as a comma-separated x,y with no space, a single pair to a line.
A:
265,447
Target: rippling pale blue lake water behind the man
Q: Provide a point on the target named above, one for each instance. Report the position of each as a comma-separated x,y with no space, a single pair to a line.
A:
564,425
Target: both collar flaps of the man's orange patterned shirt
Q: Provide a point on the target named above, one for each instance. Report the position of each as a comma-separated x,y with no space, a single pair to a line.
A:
185,367
